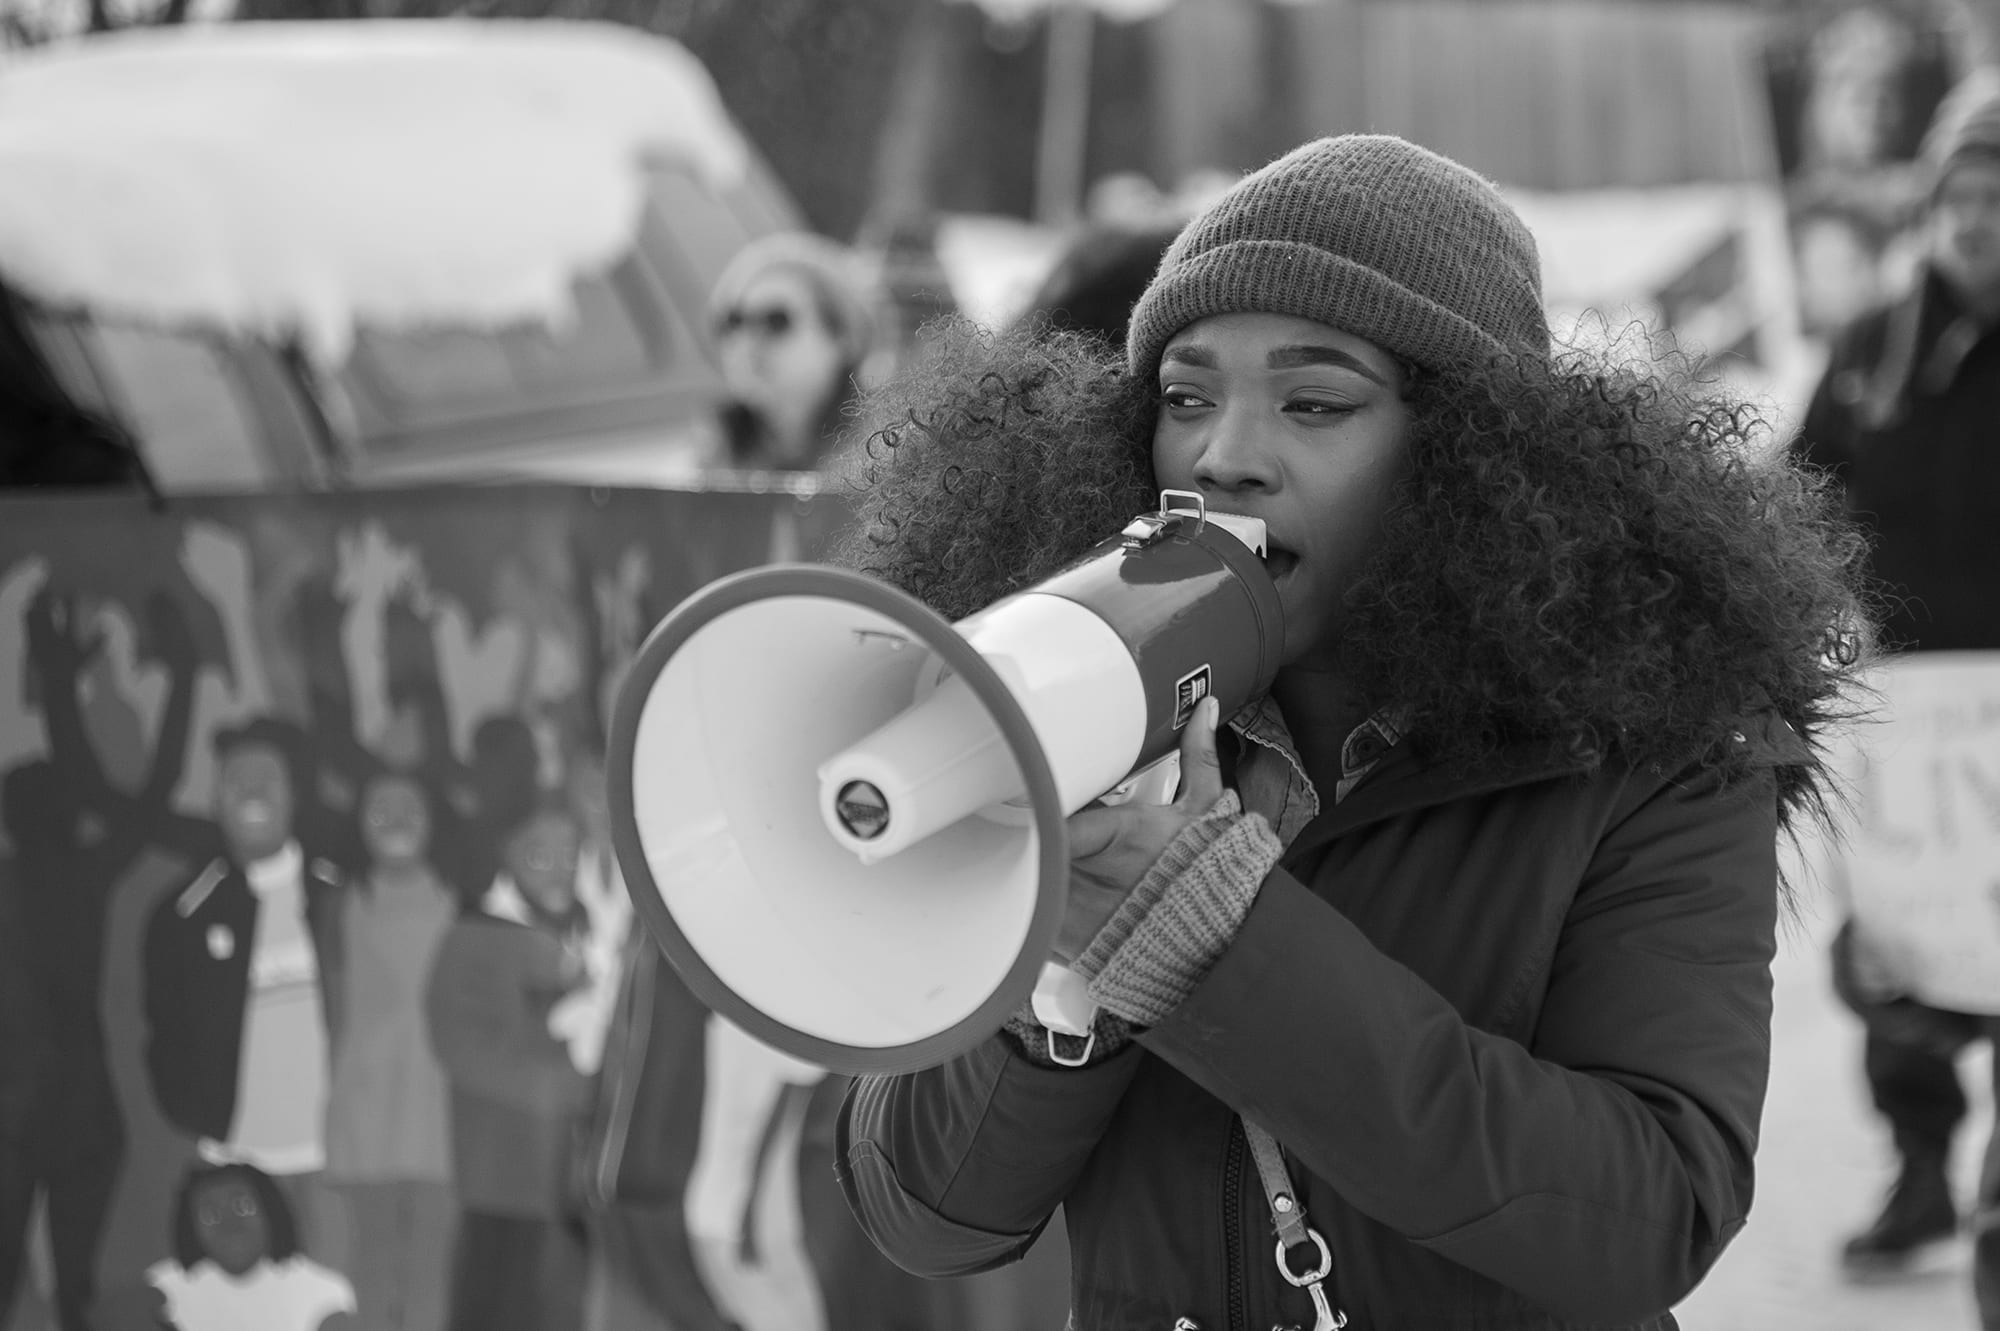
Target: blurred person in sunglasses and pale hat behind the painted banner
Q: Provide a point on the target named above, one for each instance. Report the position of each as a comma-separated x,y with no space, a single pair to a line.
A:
793,321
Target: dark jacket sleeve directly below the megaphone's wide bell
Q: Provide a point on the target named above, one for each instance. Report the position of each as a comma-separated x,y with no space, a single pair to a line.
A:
957,1168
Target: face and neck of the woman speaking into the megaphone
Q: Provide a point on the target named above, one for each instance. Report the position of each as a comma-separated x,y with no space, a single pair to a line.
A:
1295,423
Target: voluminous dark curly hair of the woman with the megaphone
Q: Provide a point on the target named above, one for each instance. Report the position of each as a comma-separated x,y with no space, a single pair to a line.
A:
1601,555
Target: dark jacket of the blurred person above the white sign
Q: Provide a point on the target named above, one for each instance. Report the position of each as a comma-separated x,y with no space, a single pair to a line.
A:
1909,421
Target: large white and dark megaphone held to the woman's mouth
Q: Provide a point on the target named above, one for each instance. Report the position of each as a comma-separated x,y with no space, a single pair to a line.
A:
841,816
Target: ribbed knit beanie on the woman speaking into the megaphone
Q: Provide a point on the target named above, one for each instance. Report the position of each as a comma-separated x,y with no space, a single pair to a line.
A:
1369,235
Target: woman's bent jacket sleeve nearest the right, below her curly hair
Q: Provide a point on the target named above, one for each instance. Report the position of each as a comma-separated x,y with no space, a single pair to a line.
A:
1599,1170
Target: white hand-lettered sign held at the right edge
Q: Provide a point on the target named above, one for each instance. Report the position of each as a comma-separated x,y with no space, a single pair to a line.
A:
1923,854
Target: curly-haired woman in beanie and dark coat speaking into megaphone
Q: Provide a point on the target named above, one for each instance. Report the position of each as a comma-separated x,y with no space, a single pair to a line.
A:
1451,962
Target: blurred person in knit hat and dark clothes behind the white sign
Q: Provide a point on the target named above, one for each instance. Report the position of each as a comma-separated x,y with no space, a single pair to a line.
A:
1907,419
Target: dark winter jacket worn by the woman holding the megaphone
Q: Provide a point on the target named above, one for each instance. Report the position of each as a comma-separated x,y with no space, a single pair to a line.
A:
1511,1028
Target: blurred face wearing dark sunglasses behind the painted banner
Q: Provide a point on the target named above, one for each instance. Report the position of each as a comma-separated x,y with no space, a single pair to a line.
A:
777,355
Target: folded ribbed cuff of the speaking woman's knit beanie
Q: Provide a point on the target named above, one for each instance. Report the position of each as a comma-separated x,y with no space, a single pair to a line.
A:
1281,277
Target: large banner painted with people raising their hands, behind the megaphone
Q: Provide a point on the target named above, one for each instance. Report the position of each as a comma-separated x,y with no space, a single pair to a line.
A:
321,1000
